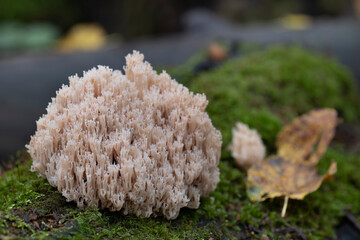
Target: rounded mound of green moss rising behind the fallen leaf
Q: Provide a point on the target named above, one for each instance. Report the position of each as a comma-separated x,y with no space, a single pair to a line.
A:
268,88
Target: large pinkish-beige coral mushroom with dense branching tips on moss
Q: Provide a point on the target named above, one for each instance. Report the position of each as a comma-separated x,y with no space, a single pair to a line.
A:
139,142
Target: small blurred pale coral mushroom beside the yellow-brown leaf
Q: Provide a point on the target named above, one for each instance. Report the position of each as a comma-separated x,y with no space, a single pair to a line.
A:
247,147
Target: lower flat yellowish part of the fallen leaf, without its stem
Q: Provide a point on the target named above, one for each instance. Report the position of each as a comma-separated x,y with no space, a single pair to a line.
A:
278,177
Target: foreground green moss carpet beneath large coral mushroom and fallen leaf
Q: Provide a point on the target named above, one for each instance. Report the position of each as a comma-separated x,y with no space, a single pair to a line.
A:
225,213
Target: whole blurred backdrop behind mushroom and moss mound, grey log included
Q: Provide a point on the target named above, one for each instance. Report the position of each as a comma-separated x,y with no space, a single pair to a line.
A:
42,42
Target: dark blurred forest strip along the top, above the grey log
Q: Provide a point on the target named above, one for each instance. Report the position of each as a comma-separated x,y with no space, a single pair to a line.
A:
137,18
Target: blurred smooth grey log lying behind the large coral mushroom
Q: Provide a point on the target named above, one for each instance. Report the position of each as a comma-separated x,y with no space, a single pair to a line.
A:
28,82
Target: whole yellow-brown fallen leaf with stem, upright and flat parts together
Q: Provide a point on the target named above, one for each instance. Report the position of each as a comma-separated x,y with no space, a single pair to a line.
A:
292,173
